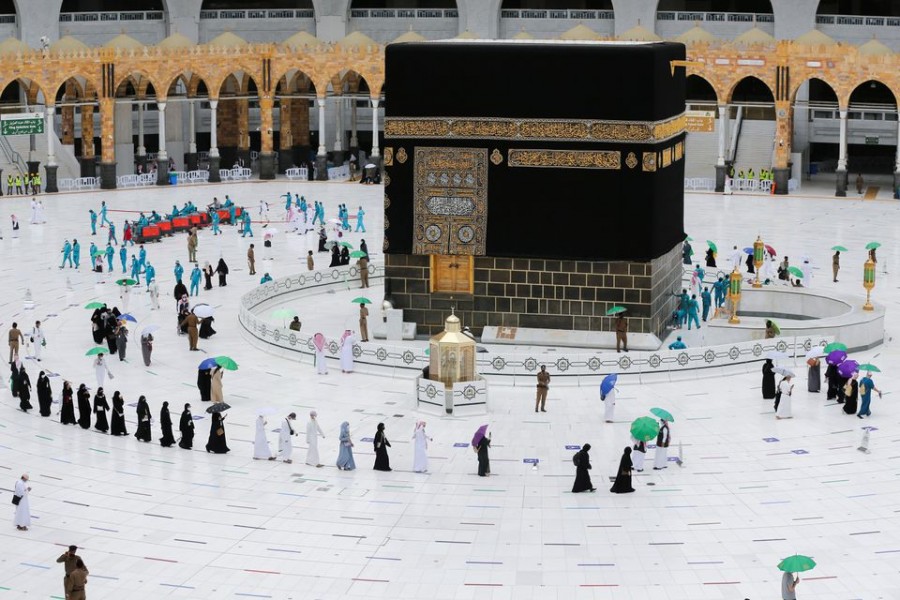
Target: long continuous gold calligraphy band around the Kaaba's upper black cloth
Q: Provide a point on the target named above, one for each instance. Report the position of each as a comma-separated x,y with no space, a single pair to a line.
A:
547,130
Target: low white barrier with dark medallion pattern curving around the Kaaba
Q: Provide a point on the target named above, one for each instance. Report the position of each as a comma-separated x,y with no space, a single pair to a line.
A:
571,364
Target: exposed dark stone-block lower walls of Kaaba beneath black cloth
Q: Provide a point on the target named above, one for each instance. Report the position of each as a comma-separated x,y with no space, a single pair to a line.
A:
540,293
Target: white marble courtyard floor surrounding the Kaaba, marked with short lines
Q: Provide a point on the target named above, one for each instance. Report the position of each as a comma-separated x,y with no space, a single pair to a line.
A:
164,522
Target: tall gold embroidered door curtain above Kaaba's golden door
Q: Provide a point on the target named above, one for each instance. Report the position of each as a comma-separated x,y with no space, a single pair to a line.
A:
450,201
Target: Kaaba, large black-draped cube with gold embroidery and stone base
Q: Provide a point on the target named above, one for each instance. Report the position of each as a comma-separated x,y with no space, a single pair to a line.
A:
534,184
